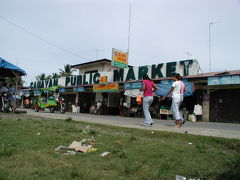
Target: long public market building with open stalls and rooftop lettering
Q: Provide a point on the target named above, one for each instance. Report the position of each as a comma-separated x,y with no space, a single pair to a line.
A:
116,89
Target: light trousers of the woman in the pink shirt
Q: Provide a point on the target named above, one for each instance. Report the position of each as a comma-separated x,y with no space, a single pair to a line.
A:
147,101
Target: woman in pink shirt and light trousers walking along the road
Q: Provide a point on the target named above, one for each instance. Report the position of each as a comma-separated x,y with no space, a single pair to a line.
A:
149,88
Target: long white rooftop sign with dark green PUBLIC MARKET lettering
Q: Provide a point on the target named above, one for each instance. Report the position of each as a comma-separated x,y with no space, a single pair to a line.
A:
155,71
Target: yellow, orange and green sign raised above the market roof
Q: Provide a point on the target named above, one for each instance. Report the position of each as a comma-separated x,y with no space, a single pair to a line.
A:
119,59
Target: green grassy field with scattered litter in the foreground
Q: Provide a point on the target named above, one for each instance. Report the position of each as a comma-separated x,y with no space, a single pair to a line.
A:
136,154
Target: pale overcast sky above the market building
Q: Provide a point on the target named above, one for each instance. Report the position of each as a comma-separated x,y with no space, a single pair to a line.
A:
161,31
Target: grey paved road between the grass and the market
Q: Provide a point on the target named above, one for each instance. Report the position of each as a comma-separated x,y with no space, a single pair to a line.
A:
226,130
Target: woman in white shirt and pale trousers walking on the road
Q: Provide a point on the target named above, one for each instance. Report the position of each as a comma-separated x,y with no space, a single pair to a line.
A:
176,99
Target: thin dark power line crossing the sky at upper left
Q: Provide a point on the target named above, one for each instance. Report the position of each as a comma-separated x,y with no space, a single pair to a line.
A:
42,39
